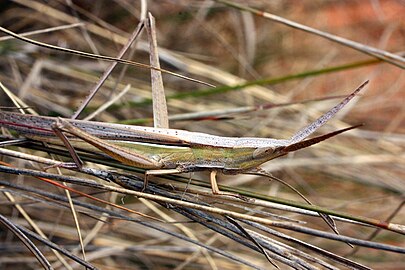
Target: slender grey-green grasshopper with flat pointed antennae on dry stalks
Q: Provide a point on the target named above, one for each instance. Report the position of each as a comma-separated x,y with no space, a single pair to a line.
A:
169,151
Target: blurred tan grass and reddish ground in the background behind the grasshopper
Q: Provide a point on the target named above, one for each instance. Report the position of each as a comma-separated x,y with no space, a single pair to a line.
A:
361,173
